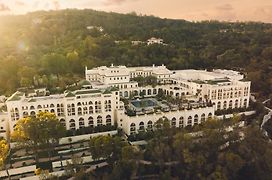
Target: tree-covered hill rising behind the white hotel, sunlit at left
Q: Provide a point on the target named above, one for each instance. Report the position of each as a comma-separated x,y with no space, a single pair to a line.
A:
50,49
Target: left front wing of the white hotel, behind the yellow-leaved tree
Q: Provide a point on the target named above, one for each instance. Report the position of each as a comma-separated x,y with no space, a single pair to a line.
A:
81,108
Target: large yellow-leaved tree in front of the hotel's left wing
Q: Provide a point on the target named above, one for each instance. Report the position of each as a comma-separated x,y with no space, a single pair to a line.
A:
38,132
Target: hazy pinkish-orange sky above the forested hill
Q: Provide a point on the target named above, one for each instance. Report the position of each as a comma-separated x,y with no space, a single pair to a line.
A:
227,10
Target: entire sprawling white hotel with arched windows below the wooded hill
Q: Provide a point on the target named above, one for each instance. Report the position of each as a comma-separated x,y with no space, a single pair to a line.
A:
100,103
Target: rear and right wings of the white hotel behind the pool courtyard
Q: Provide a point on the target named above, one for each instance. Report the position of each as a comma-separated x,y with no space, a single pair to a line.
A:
225,88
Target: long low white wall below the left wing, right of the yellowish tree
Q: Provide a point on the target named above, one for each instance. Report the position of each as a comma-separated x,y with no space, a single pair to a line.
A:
65,140
